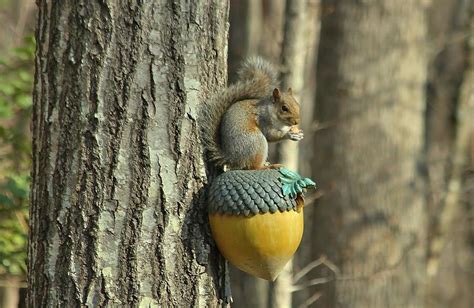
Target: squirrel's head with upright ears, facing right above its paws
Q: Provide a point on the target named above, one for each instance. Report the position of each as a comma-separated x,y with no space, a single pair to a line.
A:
286,107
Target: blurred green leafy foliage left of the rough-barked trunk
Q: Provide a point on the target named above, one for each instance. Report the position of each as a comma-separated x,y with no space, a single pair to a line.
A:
16,80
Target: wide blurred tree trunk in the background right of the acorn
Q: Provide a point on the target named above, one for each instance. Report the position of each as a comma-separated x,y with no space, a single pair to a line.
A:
370,221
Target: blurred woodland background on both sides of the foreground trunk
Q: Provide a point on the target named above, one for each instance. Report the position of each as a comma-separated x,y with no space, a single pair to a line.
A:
387,93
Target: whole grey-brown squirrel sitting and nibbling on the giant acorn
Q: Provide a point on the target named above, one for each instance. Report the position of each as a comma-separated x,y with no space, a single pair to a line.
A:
238,122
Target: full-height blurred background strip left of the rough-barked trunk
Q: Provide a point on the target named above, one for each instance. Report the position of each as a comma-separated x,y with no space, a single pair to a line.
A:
17,21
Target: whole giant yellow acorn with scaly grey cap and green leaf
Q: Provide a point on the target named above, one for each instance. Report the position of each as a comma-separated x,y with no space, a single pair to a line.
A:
256,218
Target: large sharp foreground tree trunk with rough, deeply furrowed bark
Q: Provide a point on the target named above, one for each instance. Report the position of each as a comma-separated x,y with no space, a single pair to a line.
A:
116,211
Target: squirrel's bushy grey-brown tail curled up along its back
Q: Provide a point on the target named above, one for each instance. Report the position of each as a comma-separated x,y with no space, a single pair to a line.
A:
257,79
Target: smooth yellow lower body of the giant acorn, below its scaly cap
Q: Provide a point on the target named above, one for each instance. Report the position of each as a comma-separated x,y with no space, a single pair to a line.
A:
260,245
